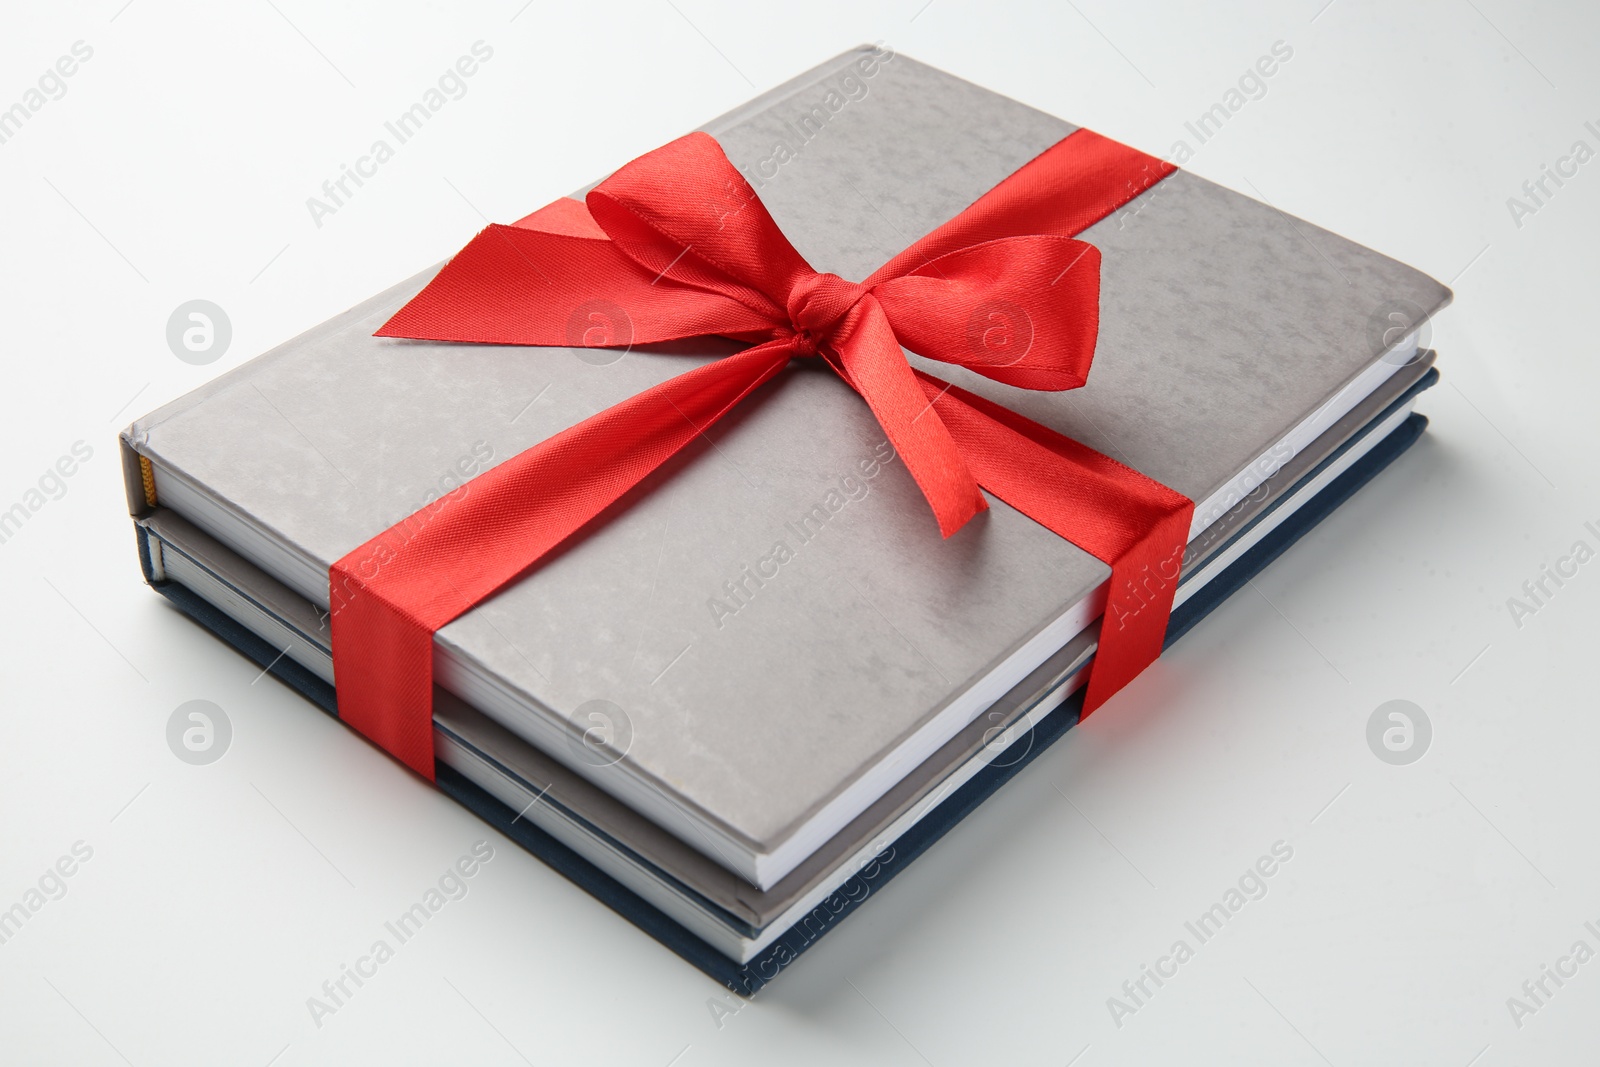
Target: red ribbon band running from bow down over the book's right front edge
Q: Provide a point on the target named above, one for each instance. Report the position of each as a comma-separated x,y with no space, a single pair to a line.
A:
1108,510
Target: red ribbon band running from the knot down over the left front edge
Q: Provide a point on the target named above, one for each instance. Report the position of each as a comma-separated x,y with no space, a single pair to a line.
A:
390,596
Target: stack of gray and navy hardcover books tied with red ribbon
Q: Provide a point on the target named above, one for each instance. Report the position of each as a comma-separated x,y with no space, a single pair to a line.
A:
762,685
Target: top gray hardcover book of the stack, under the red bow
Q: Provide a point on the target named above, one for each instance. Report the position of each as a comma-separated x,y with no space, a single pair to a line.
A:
762,714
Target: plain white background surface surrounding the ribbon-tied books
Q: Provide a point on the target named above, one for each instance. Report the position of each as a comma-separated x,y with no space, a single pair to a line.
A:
220,898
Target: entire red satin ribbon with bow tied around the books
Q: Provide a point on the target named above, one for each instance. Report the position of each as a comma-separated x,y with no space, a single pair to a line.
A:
678,246
